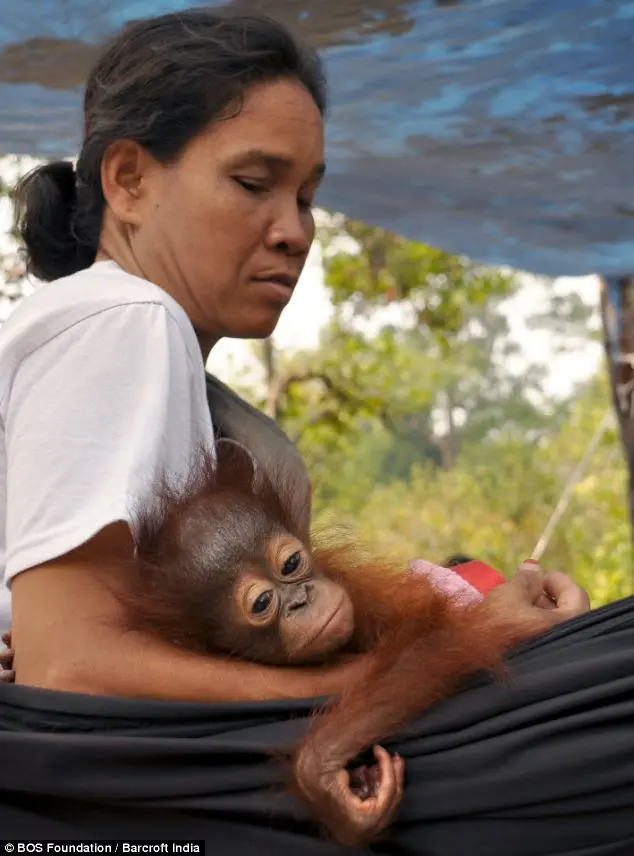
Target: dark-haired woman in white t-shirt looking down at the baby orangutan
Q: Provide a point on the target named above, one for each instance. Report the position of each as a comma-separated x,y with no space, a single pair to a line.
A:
187,219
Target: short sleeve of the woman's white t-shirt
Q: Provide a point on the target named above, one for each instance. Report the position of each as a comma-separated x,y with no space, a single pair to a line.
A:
94,417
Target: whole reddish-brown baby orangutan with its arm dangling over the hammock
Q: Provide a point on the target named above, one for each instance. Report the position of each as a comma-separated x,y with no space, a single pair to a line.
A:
223,568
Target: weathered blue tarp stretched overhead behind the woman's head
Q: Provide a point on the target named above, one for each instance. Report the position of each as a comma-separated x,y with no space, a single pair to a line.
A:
503,129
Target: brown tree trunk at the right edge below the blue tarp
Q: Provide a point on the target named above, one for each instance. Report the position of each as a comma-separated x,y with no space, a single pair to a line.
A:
617,313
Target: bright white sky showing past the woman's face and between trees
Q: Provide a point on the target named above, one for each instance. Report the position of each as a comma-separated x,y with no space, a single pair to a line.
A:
310,309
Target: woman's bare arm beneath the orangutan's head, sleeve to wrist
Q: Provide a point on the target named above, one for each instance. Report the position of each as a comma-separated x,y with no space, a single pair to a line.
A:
67,637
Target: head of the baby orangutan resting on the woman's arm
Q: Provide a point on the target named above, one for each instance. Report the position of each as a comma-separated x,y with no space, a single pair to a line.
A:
223,569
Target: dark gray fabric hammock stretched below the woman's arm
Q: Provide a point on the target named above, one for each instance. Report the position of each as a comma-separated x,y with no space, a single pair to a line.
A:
541,766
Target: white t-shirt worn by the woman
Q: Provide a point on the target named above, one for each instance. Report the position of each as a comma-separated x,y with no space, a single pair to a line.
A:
102,391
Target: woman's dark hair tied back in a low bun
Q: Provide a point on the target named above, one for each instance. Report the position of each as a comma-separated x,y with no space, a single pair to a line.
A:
160,83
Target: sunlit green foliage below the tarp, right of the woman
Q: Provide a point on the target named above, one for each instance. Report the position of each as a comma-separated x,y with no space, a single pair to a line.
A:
422,439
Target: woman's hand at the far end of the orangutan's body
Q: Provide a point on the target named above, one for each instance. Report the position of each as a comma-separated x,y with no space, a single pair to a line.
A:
554,596
